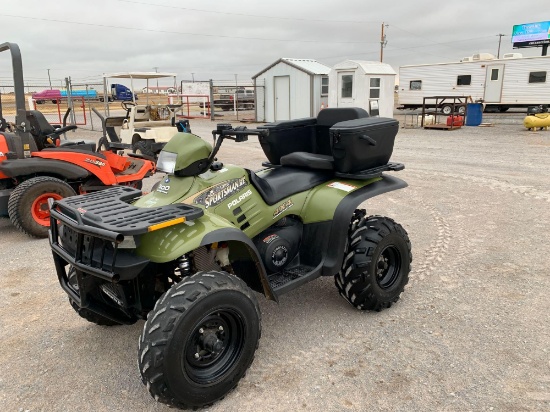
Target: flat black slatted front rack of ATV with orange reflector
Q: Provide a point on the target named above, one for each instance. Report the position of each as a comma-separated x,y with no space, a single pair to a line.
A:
109,210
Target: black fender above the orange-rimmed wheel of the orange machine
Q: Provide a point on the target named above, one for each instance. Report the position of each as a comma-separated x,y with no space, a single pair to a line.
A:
39,166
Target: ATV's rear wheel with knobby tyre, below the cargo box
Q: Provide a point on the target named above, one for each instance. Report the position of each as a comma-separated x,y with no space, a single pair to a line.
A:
376,264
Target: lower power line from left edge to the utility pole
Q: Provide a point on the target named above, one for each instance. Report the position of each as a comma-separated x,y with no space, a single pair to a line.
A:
184,33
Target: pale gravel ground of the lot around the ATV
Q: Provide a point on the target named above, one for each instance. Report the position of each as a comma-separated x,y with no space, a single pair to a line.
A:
471,331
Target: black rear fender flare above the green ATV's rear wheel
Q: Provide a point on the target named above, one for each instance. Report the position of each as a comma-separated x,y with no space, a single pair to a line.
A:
343,214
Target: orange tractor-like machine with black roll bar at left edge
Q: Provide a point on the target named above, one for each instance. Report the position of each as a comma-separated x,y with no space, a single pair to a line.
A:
35,166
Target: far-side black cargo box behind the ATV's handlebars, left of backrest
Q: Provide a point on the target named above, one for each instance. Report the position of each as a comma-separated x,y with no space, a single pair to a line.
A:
288,137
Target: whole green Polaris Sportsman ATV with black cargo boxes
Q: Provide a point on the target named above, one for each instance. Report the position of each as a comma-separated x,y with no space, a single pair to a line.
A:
189,256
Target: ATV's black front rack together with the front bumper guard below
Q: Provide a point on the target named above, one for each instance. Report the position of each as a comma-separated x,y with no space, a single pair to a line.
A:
87,231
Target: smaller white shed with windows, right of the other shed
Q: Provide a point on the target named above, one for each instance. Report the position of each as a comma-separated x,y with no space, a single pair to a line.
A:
365,84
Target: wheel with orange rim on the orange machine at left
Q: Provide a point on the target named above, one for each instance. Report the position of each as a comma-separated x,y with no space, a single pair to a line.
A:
28,203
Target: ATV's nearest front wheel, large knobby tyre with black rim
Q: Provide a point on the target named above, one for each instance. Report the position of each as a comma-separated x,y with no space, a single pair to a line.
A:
199,340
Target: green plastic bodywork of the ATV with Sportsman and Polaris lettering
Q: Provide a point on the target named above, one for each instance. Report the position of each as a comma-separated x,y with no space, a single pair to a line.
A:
231,202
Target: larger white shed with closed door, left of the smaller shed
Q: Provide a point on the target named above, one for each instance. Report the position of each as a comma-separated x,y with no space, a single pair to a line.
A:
294,89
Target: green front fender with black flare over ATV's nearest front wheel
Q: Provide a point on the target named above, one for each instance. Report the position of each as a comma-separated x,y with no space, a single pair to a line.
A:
170,243
